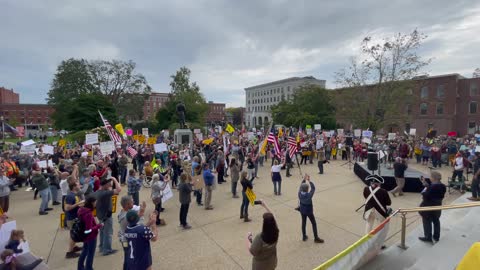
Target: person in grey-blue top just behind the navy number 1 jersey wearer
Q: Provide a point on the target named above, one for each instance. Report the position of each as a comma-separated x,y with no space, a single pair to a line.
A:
127,204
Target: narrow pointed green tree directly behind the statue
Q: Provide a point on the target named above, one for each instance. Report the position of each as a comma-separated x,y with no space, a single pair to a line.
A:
183,91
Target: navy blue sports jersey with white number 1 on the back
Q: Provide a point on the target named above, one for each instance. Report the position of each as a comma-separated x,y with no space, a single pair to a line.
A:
139,252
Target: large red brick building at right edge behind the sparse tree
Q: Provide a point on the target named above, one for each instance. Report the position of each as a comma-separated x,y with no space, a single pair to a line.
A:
444,103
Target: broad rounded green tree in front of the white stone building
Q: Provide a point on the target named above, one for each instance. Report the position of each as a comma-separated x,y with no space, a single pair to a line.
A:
311,104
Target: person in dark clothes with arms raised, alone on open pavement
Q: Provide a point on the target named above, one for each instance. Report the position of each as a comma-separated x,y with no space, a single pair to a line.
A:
305,194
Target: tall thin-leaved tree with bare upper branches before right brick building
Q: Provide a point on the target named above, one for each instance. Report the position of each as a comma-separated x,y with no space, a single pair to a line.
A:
377,83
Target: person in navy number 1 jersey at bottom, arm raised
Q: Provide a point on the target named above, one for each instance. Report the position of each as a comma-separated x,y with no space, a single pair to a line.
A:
138,237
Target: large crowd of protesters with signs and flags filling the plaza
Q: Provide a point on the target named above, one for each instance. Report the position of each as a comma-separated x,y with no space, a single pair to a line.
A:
83,179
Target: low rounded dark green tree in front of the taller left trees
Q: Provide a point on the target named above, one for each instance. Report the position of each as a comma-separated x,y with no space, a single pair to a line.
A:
85,115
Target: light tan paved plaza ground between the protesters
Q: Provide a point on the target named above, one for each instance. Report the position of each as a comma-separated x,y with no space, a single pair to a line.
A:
216,240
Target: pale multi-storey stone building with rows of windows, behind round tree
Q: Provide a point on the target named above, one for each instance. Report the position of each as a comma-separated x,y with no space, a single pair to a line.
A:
261,98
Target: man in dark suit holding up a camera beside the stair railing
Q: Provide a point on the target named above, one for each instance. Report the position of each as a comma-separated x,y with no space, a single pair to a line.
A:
433,195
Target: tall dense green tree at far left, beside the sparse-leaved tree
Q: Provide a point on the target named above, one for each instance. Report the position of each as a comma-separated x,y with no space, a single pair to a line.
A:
71,80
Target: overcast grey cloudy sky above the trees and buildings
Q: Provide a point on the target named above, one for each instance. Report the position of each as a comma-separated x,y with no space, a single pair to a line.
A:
228,45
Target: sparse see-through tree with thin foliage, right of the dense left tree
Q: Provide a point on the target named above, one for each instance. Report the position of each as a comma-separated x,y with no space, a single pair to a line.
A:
118,81
